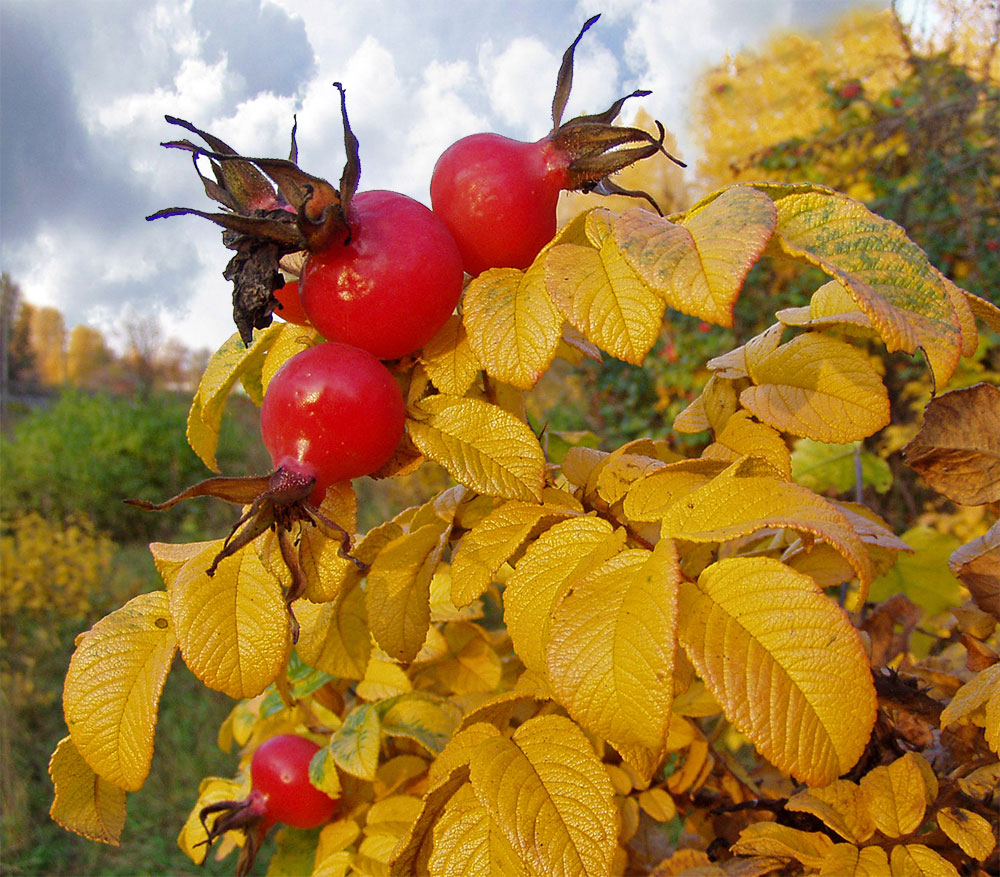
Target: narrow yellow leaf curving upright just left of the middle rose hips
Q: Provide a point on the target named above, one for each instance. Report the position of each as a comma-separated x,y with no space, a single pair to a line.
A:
225,368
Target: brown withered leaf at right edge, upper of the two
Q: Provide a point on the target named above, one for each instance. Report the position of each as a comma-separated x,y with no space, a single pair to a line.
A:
957,451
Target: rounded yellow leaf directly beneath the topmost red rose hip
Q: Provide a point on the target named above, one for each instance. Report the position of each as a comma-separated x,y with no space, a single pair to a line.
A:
514,329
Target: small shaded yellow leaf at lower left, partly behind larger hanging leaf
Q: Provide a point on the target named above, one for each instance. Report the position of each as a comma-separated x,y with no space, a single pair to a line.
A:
84,803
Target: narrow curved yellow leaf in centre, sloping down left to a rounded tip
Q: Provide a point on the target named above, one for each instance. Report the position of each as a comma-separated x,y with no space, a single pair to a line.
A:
488,545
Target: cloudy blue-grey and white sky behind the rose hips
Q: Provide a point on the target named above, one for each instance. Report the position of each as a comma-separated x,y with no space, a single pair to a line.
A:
85,85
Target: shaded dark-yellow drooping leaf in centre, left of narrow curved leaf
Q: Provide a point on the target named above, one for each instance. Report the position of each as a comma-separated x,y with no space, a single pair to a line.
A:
398,590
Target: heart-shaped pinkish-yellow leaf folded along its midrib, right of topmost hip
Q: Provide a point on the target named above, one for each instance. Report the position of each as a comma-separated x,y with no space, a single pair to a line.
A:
699,264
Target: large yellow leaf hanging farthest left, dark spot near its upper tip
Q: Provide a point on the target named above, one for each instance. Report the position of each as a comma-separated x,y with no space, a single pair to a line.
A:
113,688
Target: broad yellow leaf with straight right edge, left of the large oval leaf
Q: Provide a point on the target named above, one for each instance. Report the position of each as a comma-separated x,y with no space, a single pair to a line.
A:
610,654
